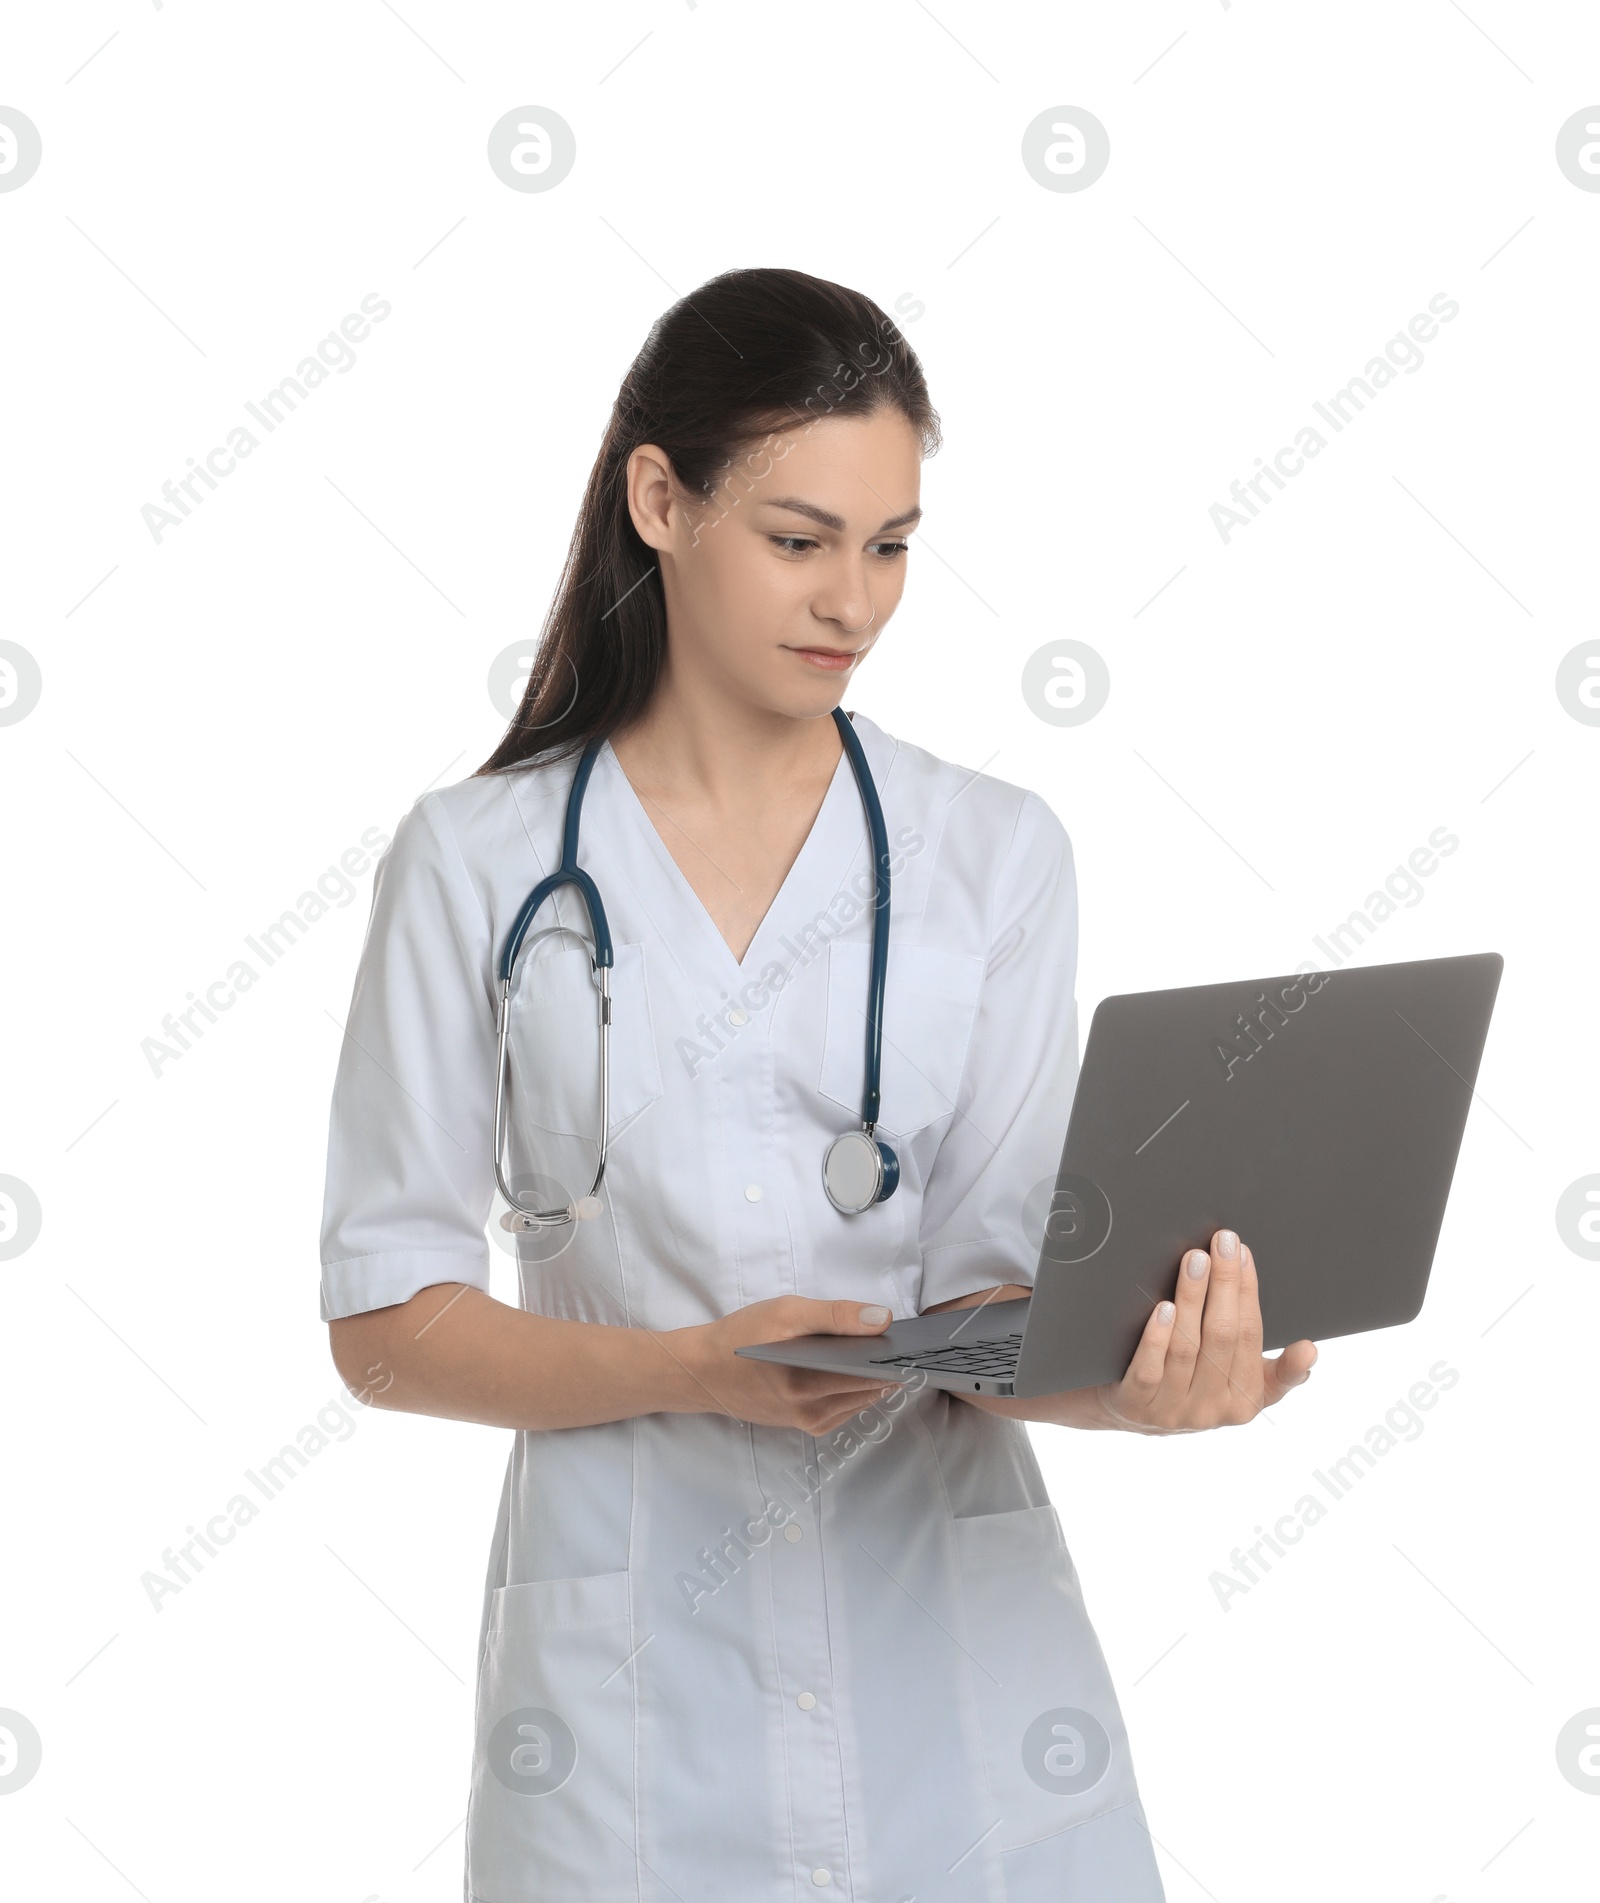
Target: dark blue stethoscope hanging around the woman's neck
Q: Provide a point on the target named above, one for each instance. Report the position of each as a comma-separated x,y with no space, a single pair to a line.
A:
859,1169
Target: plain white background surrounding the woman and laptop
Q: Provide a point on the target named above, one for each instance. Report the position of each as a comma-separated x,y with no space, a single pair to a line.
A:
1291,715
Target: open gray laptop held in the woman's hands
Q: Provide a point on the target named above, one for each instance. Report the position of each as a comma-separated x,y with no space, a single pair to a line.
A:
1319,1116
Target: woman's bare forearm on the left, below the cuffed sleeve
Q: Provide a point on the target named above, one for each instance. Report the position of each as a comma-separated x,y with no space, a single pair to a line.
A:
461,1356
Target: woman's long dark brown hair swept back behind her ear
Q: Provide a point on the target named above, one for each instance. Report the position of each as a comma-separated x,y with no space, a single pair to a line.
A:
747,355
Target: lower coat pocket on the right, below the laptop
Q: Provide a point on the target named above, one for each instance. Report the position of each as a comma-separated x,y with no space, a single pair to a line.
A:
1055,1746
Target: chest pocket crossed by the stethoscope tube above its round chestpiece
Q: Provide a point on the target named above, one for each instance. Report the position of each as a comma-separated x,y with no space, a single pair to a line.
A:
929,1004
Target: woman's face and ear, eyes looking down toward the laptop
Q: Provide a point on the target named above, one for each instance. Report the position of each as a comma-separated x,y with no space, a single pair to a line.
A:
781,583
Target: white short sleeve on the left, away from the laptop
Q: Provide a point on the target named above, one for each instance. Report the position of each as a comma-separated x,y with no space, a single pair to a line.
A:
410,1167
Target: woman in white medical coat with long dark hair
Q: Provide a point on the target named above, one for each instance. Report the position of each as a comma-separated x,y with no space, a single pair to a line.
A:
749,1632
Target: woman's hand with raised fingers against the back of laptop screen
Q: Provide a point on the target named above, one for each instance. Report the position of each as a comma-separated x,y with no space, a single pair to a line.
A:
1200,1362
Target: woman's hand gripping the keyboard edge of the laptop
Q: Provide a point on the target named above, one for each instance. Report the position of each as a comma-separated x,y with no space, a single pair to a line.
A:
766,1392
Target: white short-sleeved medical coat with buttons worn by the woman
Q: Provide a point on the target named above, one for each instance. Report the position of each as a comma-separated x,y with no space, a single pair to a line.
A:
718,1662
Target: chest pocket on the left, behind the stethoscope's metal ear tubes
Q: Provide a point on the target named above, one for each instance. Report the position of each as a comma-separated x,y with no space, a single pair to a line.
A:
555,1040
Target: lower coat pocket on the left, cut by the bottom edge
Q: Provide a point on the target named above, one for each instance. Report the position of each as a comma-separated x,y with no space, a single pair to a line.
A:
553,1809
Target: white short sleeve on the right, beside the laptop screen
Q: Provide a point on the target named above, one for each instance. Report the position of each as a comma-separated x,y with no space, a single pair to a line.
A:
1004,1147
